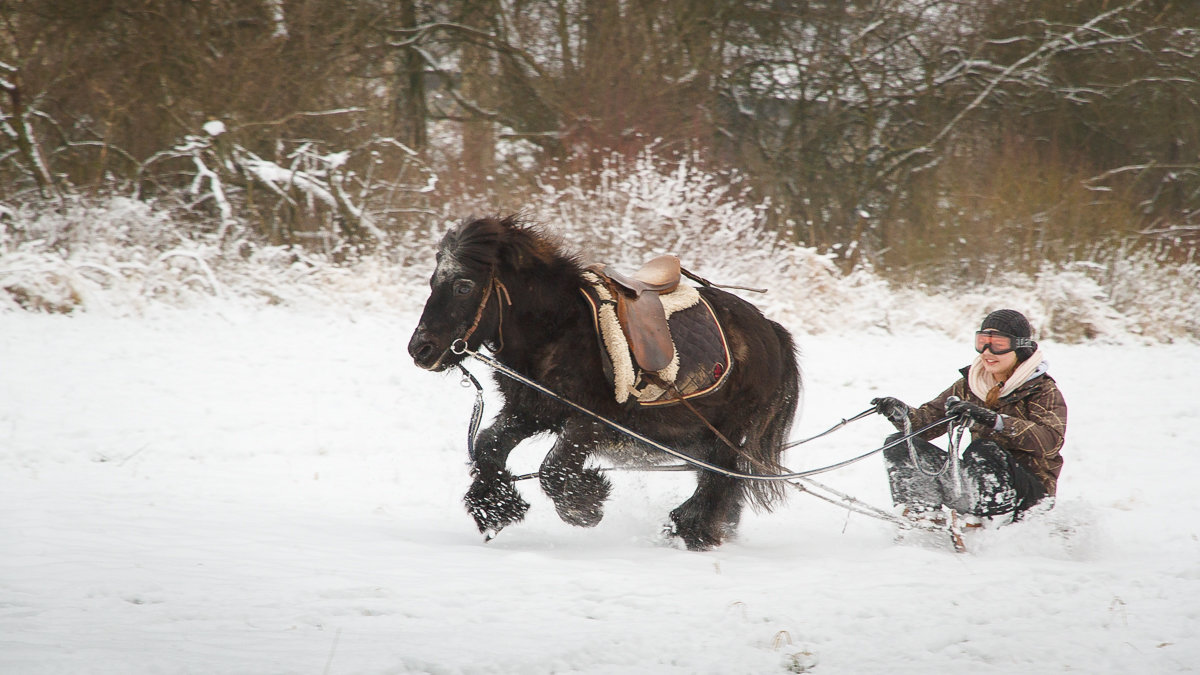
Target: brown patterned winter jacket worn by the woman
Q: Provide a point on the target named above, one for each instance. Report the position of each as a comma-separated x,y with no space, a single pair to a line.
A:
1035,423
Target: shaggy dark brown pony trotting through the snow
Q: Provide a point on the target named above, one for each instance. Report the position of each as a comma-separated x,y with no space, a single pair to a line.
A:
509,286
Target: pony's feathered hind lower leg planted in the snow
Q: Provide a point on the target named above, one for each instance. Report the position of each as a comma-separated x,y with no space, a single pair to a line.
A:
711,515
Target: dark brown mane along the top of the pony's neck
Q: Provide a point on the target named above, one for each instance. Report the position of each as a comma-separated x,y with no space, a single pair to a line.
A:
509,242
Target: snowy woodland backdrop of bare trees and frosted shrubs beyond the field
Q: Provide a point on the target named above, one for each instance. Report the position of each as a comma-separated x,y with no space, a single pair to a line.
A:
1047,147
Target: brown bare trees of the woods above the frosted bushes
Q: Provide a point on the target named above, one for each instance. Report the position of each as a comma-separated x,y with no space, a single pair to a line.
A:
887,129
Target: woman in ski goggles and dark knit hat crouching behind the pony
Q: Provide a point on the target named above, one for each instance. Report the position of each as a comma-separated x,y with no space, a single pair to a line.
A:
1017,417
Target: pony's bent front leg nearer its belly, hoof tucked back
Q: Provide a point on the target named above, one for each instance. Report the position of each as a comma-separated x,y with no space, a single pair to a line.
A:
579,494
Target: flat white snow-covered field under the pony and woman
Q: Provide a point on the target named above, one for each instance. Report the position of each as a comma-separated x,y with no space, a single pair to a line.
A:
273,492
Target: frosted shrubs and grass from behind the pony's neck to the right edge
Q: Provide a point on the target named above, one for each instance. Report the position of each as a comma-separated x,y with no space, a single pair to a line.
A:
631,211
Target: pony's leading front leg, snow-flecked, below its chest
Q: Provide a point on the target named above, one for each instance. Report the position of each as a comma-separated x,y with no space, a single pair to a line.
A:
493,499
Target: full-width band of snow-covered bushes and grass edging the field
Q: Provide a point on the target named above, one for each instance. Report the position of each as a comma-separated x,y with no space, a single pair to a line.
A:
122,255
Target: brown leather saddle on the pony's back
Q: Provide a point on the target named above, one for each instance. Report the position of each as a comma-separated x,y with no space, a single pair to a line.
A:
640,310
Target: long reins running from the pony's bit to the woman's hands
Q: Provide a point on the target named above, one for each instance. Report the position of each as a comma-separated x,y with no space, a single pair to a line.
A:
461,348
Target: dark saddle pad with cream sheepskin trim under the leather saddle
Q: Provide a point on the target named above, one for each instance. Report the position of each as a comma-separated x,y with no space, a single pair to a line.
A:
701,361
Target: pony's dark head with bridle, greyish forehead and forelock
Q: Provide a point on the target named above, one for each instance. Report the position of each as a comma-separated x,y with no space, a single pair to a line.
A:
469,297
